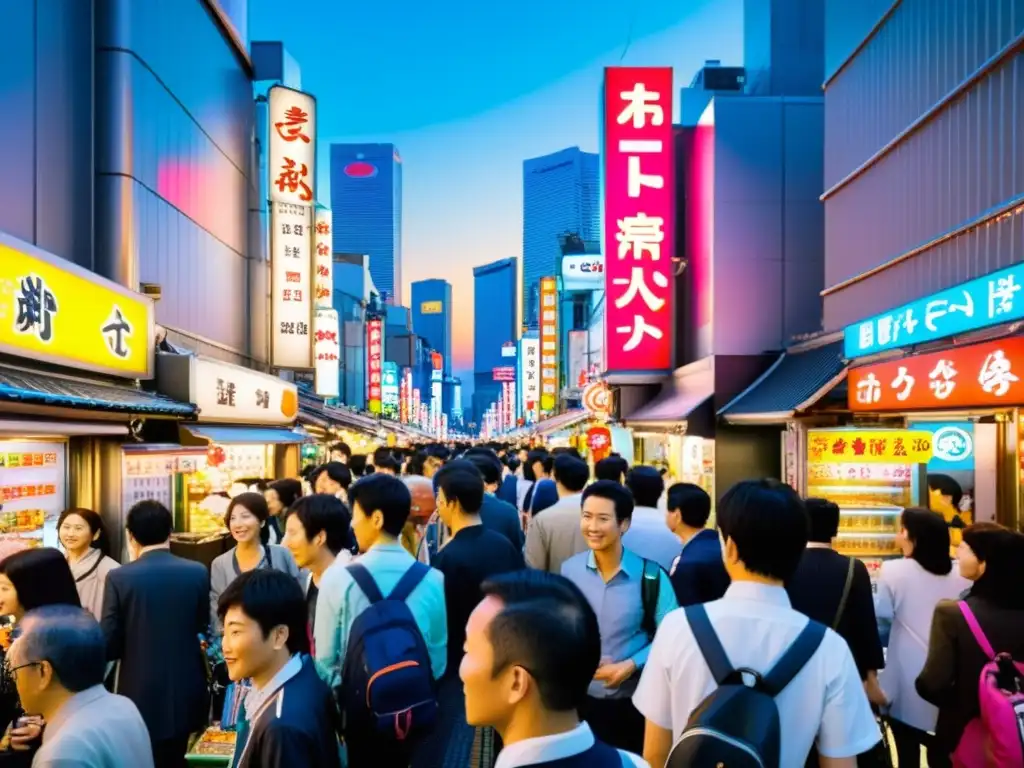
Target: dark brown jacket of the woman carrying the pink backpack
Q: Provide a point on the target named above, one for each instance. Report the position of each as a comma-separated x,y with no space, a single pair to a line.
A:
950,679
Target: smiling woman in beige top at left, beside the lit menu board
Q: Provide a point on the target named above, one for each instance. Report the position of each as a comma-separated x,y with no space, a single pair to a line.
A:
82,535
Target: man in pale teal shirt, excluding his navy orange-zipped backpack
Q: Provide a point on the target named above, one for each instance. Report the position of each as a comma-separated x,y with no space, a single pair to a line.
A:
380,508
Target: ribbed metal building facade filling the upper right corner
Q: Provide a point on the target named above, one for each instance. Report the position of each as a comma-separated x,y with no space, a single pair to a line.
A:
924,181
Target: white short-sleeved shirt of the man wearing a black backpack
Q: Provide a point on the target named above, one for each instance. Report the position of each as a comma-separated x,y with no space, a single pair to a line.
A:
825,703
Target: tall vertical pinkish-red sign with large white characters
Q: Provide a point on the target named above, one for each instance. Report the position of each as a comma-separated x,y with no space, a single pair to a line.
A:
639,219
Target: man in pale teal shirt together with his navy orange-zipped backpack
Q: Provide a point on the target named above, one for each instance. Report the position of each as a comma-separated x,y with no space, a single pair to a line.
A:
382,631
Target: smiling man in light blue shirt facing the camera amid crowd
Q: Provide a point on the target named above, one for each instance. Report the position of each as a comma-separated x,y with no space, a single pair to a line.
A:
630,596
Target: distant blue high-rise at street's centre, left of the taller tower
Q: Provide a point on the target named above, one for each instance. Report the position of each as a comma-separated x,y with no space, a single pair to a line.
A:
495,311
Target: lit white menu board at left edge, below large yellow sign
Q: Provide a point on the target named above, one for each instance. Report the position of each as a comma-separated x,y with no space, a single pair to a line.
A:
33,491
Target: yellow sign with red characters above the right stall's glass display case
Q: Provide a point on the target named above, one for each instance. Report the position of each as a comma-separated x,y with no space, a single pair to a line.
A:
869,447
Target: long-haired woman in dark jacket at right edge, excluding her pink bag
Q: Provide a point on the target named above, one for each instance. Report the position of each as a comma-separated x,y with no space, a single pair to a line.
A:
993,559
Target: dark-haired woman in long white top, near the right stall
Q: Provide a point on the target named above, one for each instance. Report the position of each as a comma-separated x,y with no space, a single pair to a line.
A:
909,590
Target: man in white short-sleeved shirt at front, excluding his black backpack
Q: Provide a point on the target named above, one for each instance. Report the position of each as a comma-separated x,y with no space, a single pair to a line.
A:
764,527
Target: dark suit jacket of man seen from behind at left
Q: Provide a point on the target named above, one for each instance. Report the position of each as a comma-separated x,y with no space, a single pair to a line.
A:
154,612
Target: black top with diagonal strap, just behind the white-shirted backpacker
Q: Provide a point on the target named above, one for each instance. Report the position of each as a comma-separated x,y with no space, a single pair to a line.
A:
816,590
